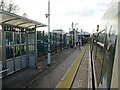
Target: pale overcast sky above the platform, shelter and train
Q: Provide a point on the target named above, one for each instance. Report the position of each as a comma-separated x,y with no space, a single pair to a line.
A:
87,13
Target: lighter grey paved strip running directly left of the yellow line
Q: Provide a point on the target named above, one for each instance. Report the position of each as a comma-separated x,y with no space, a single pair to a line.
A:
52,79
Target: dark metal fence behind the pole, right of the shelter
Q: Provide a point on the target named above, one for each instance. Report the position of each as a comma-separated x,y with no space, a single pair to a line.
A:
58,42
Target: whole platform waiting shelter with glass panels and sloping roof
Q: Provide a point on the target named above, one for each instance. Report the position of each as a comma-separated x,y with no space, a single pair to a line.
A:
17,42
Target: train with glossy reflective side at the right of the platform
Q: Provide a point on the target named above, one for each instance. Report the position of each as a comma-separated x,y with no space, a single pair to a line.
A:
104,49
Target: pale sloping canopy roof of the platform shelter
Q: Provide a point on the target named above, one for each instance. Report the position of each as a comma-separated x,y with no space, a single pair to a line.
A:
16,20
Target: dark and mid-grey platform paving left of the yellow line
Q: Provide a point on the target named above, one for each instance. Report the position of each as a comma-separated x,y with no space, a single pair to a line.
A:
27,76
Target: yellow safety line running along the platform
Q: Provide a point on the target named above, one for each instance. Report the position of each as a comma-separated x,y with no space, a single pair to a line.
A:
66,82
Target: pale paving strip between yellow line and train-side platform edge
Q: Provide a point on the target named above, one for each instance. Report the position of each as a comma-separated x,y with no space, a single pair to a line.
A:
81,79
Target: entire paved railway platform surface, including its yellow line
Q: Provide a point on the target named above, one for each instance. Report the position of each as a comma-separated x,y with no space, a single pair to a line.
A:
69,68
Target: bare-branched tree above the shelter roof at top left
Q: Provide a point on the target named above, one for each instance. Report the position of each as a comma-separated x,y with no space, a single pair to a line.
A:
9,6
